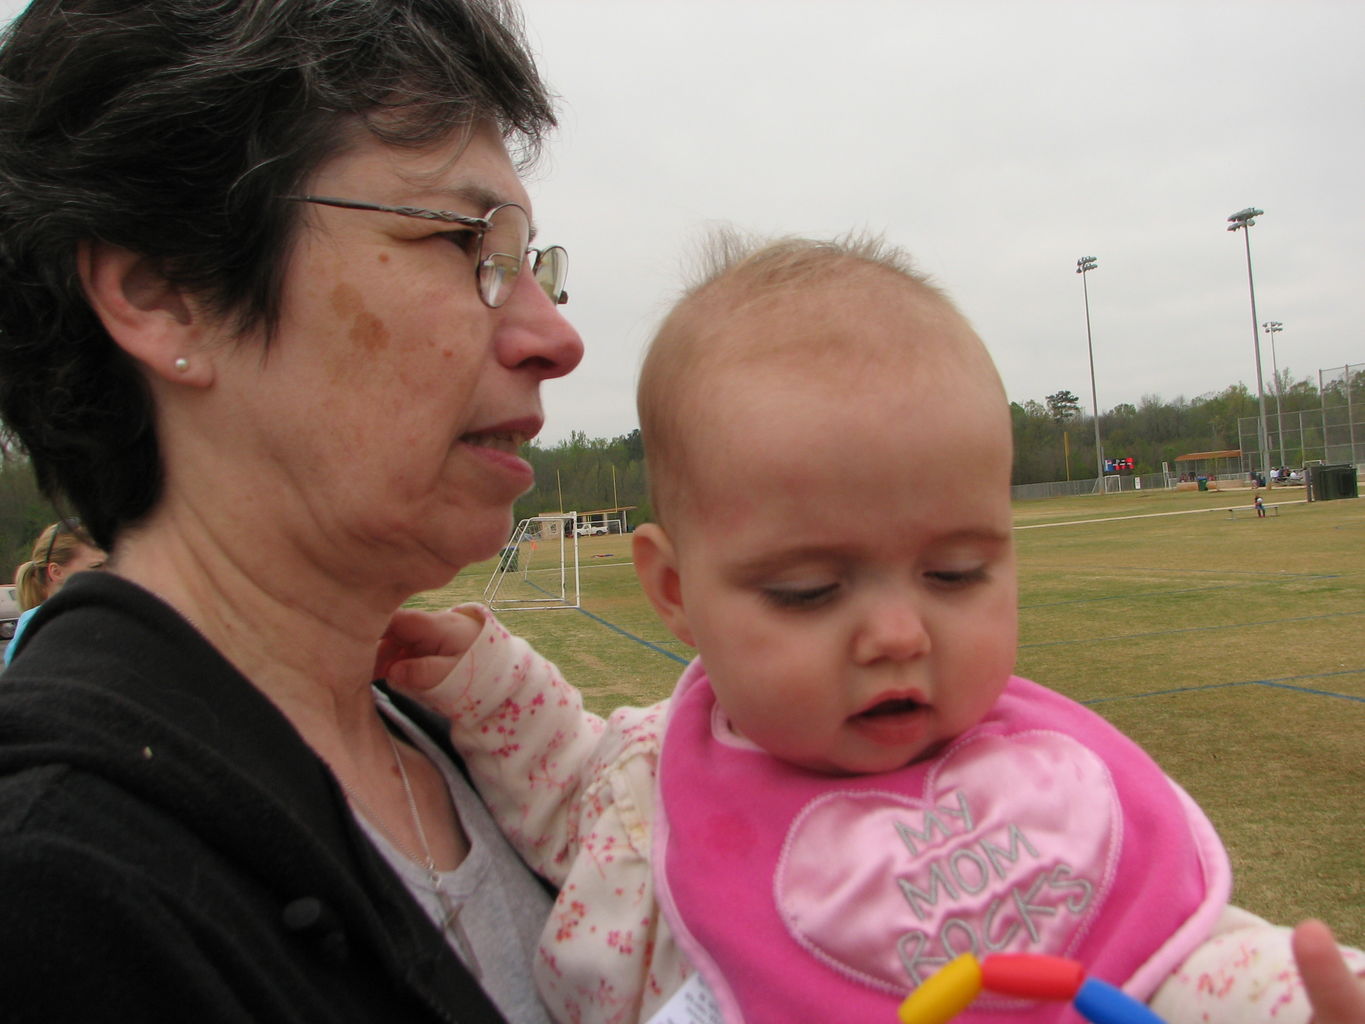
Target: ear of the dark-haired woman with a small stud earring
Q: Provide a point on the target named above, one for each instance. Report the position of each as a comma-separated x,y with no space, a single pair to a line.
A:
148,316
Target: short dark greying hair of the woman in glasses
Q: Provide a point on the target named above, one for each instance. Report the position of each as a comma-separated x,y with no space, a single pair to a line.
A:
171,129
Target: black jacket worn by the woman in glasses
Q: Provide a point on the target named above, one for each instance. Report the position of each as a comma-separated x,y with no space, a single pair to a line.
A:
171,850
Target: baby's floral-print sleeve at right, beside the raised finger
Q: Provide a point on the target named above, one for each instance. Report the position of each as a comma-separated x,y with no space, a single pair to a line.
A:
1243,974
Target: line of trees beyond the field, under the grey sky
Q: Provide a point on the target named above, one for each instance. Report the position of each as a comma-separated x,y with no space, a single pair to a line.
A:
1054,440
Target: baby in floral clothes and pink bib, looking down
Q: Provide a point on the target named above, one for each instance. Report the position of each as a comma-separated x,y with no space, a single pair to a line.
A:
848,787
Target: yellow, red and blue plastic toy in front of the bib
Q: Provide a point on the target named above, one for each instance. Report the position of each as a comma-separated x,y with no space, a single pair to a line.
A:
952,989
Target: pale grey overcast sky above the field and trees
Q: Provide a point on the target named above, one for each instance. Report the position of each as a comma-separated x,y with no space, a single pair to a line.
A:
998,143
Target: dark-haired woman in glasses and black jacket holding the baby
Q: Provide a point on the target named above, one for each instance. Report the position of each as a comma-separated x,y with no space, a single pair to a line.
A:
274,324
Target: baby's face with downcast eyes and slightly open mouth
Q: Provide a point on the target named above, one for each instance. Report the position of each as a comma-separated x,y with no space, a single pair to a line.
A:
846,558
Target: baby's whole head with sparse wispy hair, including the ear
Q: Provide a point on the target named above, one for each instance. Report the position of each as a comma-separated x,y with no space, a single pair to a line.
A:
829,455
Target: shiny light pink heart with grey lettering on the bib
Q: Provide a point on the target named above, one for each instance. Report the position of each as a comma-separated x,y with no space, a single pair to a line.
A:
1011,847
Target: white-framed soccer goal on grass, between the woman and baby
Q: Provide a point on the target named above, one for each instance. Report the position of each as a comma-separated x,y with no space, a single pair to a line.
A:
538,567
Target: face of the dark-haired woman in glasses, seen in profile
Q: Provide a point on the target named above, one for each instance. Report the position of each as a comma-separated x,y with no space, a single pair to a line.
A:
380,428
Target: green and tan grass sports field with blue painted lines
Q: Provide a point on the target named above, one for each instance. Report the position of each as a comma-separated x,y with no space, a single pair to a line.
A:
1233,649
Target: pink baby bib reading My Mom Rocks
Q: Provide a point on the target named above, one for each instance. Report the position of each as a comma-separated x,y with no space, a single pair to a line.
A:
802,896
